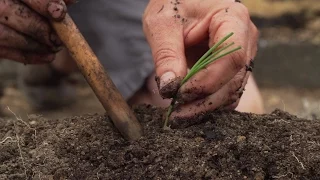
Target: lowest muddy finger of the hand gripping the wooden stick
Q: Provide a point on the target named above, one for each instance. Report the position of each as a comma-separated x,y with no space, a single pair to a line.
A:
26,58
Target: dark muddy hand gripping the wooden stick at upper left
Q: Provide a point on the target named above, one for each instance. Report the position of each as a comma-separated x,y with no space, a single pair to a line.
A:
25,33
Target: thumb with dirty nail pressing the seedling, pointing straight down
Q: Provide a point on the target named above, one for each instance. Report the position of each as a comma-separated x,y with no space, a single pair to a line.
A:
165,37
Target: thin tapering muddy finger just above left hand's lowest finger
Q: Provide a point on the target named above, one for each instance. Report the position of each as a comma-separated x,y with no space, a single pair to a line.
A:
12,39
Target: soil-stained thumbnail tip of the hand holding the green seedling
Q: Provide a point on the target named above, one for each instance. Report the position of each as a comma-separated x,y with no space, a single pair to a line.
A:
169,84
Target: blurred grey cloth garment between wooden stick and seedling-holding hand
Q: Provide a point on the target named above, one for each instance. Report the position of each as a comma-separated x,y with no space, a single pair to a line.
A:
113,29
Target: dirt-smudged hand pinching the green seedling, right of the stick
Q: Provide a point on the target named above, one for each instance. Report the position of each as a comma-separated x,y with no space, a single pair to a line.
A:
179,32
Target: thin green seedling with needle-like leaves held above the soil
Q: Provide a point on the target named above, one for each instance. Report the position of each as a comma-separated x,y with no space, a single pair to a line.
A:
214,53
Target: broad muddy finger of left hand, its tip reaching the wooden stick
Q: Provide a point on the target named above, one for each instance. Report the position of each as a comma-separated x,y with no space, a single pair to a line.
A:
21,18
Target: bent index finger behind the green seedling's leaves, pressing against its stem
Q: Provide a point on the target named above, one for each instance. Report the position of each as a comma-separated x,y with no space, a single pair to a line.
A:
220,72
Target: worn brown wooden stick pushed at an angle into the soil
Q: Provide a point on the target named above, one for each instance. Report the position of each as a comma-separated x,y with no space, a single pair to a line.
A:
107,93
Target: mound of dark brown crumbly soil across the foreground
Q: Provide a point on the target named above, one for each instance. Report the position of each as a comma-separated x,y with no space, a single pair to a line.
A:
220,145
